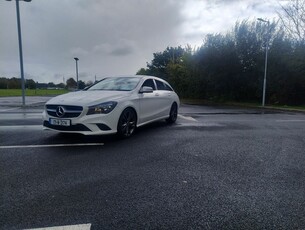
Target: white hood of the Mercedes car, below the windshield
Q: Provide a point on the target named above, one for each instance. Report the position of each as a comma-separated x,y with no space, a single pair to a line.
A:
87,98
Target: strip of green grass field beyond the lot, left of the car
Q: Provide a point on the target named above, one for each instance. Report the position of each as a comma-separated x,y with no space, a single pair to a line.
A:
31,92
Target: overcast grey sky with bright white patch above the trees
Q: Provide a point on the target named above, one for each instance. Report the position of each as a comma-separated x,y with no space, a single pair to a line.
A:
110,37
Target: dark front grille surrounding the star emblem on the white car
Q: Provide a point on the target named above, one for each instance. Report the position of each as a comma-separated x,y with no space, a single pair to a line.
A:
70,111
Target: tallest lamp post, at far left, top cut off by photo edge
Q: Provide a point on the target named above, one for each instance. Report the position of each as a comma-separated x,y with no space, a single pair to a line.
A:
20,48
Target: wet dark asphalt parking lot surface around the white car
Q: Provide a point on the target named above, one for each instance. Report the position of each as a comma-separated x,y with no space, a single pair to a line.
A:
216,168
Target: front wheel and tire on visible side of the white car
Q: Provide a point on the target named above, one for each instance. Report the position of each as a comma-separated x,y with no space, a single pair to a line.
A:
127,123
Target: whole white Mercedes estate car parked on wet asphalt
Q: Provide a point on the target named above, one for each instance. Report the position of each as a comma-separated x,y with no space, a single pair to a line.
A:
112,105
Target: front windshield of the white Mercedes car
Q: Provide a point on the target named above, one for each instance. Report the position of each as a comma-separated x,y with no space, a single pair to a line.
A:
116,84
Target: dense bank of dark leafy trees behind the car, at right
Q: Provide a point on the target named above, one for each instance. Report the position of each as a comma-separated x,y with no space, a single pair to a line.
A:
230,67
